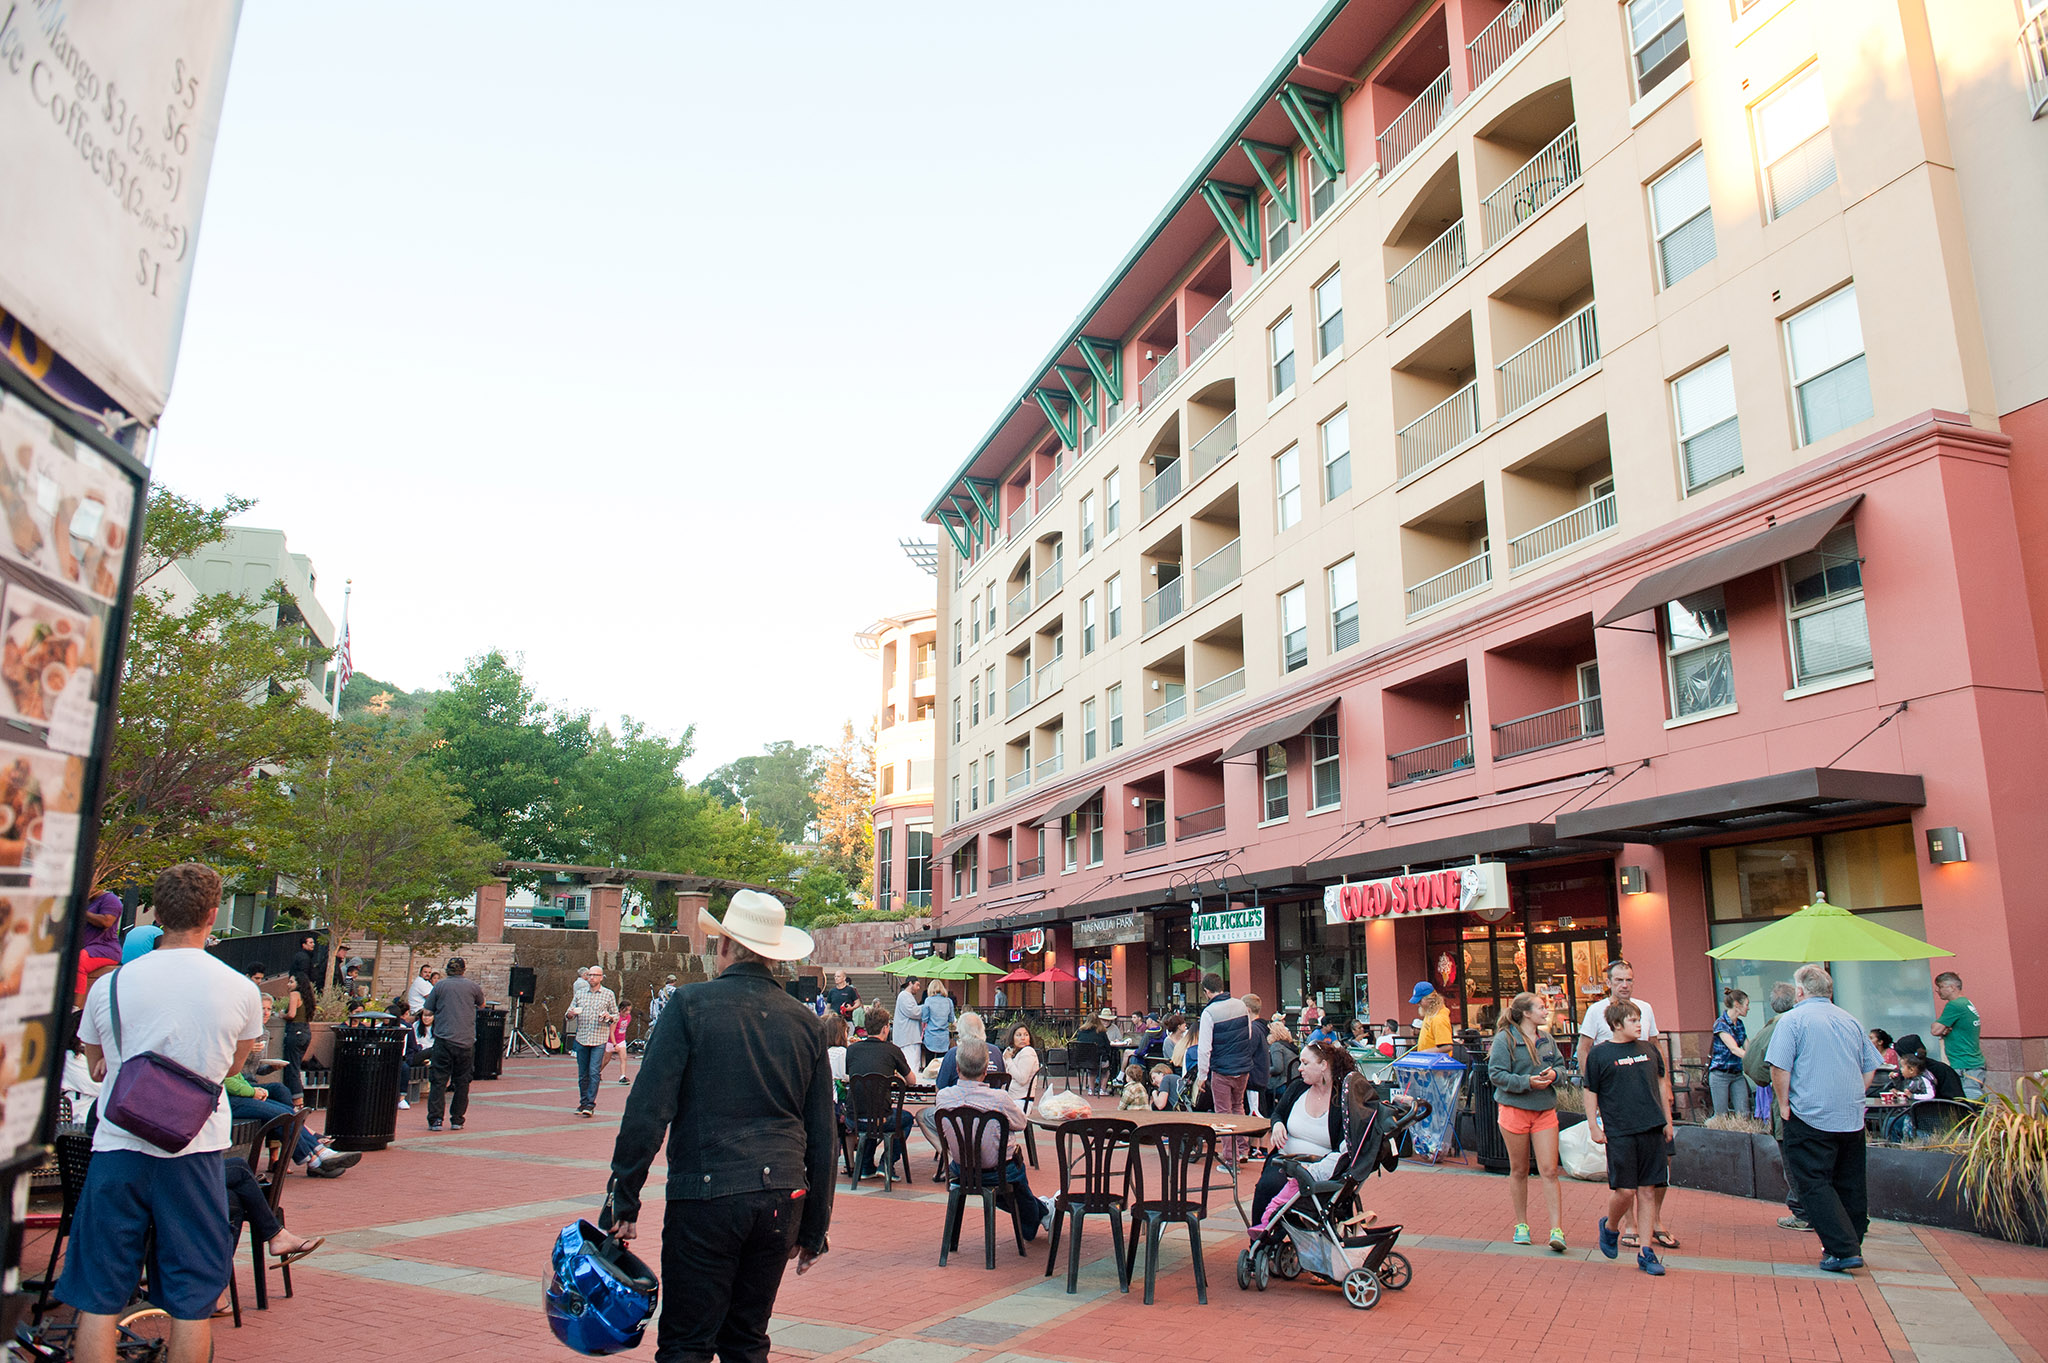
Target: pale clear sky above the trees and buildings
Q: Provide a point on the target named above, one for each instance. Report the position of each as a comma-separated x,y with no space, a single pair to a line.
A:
630,339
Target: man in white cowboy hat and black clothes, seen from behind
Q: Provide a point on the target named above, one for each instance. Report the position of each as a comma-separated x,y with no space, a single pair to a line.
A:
740,1082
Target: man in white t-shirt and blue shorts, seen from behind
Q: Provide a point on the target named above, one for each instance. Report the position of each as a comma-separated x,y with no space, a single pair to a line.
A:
191,1008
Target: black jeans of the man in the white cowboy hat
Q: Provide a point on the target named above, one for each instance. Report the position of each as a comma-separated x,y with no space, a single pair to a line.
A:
722,1268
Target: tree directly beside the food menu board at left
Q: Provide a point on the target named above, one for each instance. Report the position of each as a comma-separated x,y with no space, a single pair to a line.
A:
212,699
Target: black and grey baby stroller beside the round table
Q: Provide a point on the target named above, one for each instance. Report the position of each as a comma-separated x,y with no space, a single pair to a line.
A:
1312,1233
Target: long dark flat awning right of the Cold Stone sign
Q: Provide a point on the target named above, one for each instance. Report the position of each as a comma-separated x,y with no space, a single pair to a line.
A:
1738,807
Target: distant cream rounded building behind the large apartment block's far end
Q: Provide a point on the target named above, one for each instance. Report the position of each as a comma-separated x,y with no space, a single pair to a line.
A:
906,646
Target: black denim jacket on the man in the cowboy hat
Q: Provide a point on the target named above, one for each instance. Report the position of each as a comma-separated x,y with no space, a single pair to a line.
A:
736,1073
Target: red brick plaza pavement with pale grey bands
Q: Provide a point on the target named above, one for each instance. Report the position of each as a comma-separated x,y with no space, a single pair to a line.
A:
437,1245
